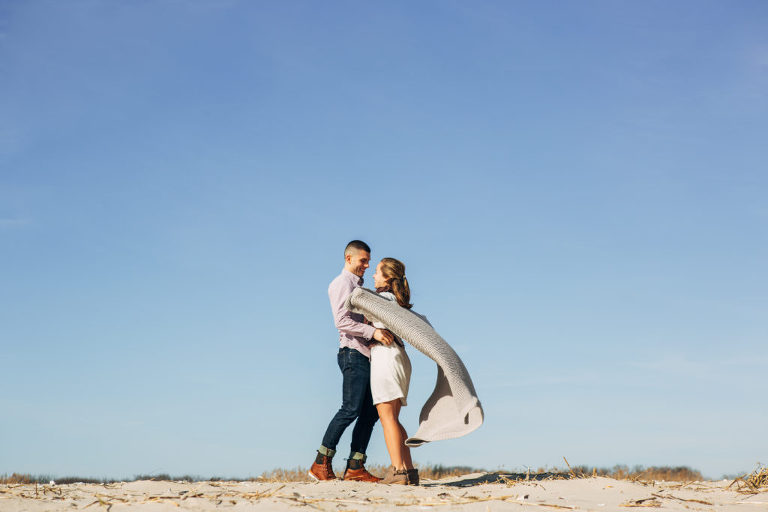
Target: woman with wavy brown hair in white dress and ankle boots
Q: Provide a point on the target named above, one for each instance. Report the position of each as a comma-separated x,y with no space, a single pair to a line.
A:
391,375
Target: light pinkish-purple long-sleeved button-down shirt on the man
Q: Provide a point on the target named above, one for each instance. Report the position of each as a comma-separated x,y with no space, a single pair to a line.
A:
353,333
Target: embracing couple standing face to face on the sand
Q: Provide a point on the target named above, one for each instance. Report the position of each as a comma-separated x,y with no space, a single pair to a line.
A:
376,373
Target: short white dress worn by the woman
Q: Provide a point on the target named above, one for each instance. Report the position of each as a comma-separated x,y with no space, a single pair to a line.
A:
390,368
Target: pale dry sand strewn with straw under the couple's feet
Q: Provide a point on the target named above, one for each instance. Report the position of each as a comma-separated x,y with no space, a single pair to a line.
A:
476,492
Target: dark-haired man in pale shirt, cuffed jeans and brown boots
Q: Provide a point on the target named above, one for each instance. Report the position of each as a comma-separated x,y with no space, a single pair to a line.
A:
354,362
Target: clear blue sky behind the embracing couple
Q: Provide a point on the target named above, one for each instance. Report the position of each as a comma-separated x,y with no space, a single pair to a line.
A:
578,190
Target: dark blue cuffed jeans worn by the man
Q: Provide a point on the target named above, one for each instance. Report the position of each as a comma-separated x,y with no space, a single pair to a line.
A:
357,403
